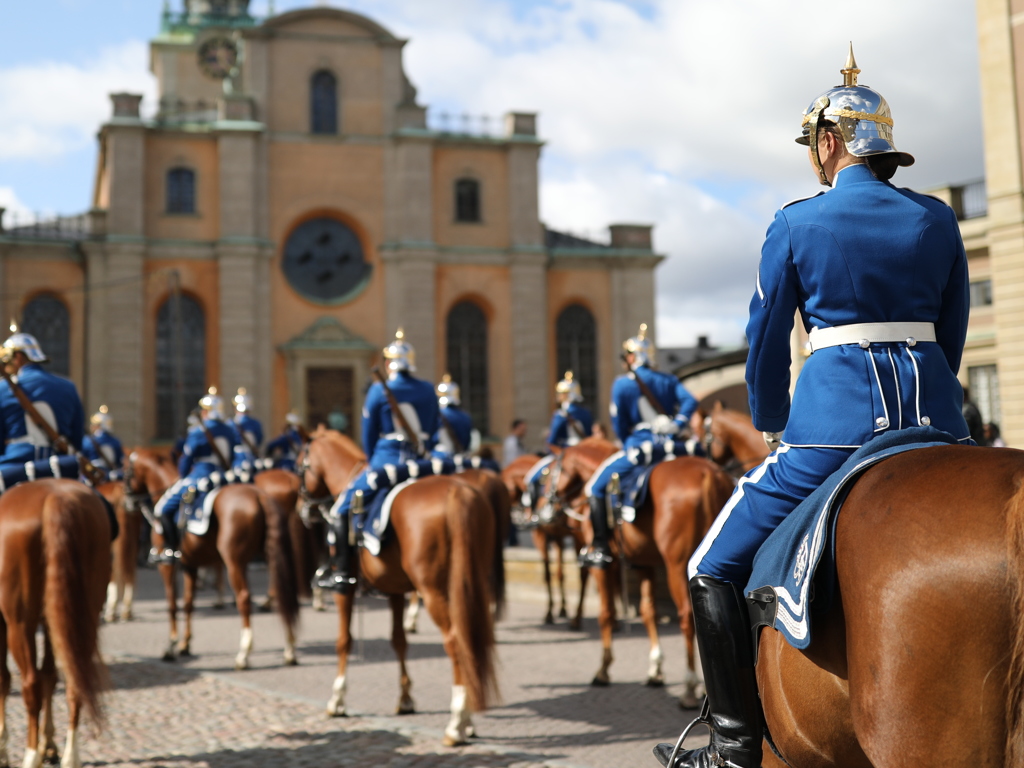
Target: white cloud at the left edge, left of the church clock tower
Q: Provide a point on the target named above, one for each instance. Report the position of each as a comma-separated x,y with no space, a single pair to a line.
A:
52,109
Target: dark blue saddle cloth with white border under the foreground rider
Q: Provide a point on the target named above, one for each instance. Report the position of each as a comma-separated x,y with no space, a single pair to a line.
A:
798,561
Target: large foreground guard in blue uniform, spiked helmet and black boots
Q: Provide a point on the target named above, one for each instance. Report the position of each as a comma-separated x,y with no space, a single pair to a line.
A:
879,276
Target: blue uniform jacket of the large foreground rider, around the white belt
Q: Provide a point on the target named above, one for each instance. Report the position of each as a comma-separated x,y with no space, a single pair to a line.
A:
863,252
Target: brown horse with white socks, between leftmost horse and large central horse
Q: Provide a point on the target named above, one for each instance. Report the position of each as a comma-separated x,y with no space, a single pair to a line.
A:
245,520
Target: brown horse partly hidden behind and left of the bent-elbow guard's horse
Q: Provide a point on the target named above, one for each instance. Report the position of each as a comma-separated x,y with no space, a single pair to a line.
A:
563,524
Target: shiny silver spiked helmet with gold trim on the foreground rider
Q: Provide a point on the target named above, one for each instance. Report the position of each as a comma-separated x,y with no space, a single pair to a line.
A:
863,116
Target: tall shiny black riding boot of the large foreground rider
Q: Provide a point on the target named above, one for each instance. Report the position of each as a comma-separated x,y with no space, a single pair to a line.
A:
728,657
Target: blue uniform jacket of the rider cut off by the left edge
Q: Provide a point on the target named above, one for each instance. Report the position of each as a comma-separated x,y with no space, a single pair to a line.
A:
58,402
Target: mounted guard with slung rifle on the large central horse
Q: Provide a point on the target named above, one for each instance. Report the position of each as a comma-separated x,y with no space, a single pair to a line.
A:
401,418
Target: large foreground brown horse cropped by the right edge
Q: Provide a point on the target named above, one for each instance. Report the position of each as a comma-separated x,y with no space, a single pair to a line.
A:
923,662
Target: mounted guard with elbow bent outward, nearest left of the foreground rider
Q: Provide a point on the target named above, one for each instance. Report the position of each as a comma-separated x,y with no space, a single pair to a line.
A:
651,414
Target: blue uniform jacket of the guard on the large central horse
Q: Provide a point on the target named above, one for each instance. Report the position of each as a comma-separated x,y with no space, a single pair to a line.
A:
382,440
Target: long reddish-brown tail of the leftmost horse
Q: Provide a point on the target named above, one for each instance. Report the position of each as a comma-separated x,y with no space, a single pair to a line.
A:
76,540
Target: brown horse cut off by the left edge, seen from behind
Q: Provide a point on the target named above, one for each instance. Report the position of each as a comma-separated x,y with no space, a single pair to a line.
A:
55,566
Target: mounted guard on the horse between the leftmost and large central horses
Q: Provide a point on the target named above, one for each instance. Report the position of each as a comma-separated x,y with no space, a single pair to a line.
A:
205,463
